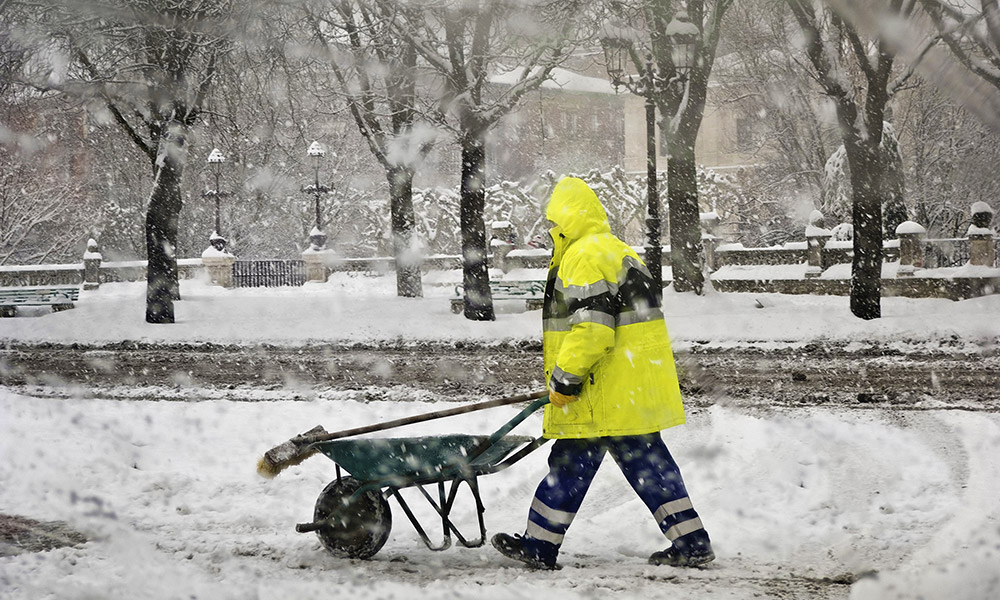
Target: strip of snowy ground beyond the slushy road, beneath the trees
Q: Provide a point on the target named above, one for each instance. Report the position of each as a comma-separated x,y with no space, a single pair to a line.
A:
360,308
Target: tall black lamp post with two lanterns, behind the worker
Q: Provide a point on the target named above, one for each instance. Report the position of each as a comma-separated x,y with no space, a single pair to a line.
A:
619,50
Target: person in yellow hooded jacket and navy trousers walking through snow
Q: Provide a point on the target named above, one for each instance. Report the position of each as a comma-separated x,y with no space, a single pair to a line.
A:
612,386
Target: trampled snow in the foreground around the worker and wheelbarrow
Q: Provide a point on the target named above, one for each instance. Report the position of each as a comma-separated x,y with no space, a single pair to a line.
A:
799,502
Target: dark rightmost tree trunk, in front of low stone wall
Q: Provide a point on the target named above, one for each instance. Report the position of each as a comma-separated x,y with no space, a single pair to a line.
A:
866,271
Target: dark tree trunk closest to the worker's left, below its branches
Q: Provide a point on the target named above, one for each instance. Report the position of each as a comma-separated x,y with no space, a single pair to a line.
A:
475,275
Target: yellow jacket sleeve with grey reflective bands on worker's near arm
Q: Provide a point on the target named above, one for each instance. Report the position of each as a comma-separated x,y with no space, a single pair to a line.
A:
590,301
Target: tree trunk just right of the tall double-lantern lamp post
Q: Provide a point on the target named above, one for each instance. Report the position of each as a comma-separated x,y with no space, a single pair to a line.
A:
685,218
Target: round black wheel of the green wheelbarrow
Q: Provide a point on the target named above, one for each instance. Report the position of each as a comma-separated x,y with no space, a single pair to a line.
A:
358,525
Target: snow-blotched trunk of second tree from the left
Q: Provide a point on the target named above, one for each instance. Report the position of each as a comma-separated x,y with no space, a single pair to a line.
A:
408,258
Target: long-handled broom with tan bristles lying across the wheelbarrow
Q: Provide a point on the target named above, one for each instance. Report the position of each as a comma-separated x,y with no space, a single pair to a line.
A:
302,446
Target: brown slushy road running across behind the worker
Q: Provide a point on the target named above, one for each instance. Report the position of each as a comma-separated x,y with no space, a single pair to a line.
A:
815,374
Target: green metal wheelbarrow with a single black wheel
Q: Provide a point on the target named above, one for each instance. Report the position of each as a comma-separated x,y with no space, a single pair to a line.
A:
352,517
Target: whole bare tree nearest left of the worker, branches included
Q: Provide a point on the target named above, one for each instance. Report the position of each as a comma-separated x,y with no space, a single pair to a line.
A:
463,43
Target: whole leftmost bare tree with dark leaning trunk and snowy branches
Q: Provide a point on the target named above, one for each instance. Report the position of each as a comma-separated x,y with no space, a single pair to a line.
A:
151,63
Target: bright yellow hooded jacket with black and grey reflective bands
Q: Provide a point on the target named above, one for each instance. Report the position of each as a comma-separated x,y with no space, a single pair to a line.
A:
604,337
